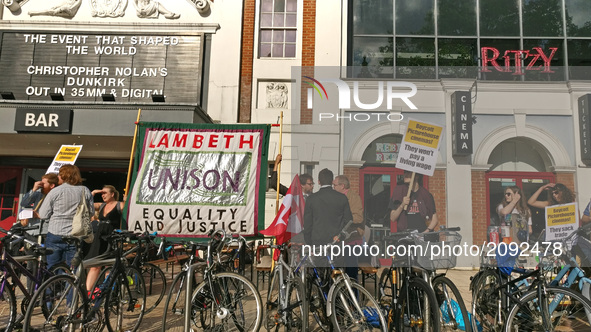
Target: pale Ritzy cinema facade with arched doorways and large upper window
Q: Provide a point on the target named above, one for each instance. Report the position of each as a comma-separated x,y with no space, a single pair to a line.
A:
507,79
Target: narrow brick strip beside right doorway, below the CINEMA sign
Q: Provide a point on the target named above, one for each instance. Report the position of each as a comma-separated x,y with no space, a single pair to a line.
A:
479,216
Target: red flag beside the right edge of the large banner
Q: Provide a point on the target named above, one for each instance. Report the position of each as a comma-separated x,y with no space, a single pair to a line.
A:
289,220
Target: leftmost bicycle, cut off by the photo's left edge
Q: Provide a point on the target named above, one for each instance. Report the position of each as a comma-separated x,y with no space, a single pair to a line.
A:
11,267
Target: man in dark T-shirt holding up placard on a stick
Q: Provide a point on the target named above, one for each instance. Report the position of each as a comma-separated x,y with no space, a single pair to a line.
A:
414,212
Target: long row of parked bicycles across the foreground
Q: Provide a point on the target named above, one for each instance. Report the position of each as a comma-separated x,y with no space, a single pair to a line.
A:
303,292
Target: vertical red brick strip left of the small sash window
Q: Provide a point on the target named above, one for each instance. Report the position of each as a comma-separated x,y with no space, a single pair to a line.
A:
246,62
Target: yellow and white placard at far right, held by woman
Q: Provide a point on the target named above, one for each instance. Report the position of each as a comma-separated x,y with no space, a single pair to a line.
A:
561,221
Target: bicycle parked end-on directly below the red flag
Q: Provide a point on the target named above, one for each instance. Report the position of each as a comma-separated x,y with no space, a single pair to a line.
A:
286,298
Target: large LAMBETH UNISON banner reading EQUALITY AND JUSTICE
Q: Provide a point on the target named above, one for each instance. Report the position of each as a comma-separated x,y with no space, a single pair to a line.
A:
191,178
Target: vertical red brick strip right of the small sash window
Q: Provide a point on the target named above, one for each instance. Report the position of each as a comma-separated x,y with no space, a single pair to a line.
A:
308,51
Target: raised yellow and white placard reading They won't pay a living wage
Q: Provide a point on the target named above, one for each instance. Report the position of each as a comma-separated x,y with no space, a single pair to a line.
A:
419,147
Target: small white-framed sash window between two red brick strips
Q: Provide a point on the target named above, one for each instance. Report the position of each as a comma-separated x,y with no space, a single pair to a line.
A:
278,29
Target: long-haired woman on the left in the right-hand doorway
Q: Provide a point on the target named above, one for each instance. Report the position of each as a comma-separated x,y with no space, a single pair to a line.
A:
514,212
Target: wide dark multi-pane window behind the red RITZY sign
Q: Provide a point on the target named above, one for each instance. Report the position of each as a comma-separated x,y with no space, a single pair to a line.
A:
432,39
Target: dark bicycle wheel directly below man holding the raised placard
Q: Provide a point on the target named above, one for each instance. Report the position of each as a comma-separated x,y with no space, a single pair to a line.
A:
417,308
